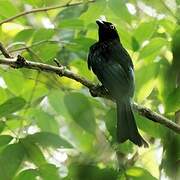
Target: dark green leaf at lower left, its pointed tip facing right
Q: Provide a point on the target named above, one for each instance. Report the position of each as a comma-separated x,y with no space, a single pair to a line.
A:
46,139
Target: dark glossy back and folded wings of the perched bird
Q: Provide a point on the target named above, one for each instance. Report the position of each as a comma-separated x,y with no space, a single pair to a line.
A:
114,70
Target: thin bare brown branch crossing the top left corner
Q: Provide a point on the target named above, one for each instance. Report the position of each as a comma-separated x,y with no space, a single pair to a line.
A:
41,10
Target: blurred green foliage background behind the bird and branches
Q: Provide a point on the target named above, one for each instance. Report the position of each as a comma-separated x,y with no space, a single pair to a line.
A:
51,128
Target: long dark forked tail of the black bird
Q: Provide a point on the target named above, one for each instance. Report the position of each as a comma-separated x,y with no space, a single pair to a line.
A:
126,125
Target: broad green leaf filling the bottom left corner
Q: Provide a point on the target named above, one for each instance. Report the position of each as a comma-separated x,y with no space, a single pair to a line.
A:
10,160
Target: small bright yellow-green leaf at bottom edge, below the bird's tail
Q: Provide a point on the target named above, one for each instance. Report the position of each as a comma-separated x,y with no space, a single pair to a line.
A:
138,173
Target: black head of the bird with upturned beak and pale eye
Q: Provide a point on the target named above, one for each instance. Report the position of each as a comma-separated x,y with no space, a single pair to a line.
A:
107,31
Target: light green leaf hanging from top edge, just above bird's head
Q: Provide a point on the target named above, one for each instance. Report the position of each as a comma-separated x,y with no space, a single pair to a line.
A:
119,8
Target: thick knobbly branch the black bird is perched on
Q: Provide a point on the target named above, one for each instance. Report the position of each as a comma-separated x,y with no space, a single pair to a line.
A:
20,62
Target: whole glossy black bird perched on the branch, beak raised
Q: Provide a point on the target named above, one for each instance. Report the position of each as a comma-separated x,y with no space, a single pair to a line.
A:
114,68
